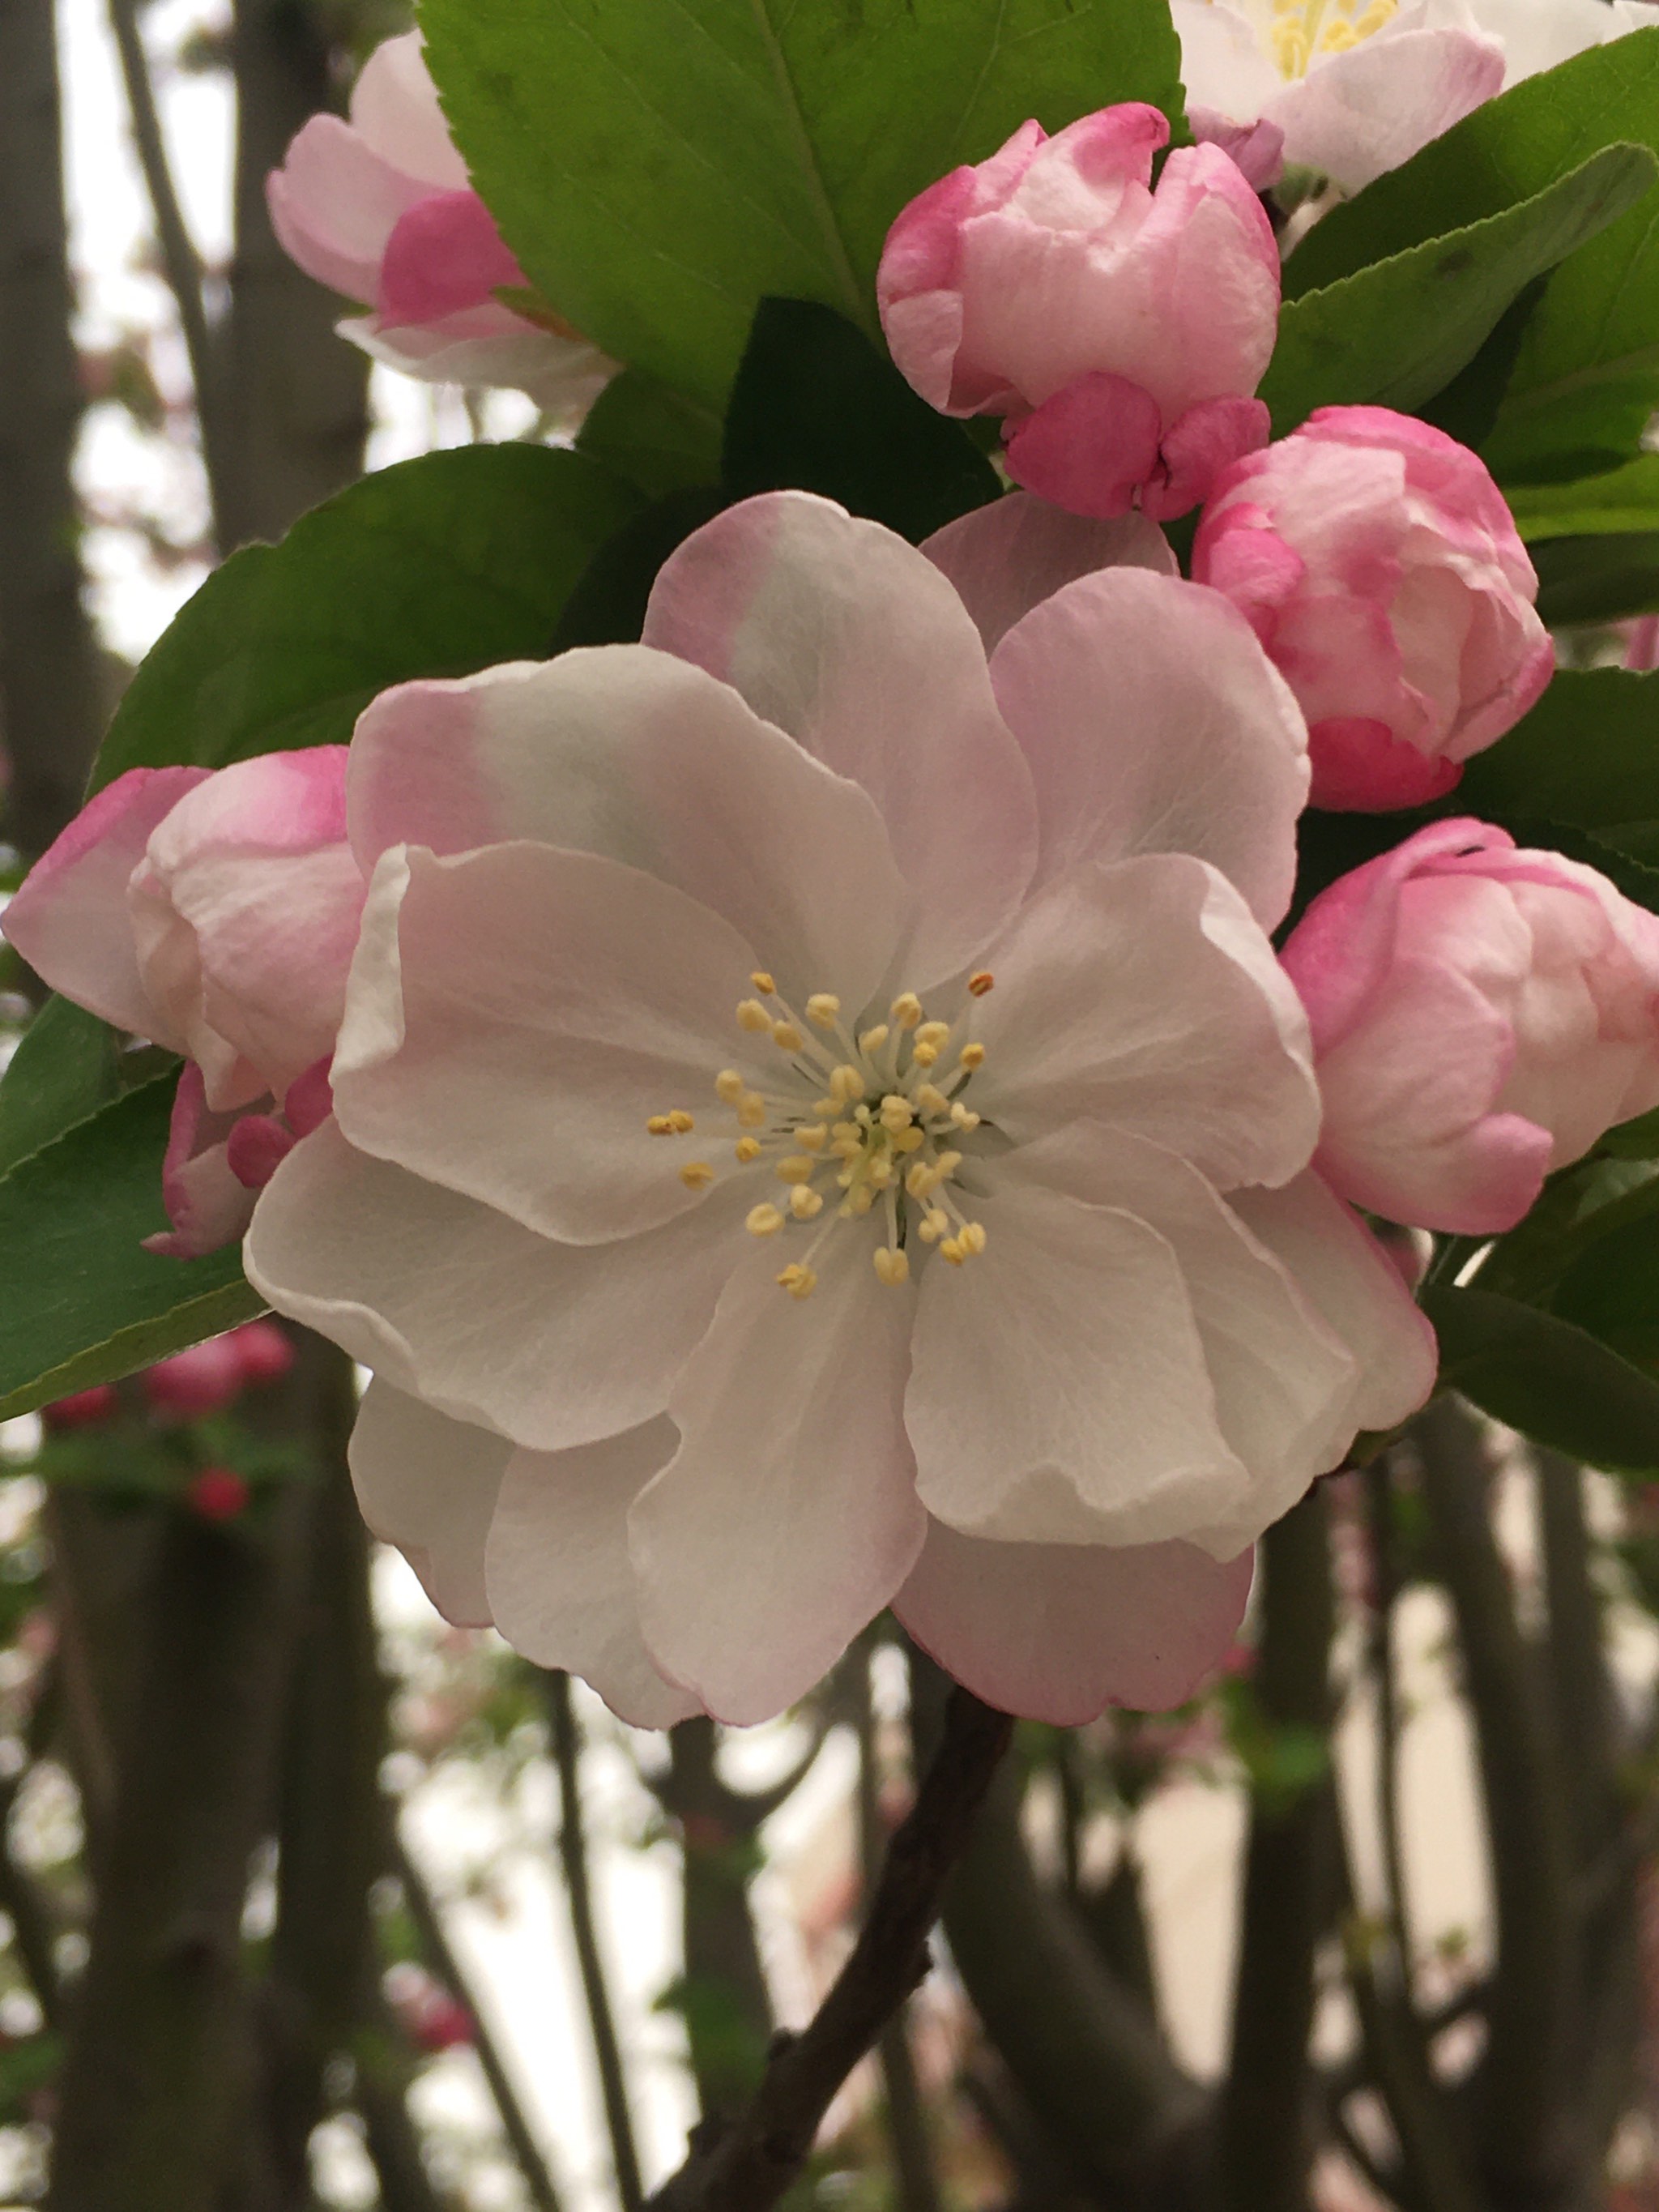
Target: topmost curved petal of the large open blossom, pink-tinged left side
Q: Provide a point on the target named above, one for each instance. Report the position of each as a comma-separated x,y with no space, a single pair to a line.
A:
855,645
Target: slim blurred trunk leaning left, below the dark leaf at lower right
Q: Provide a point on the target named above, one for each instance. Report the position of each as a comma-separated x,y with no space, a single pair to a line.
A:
1525,2125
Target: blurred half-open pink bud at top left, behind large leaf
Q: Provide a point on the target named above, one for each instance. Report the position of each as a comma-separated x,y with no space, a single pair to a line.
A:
382,209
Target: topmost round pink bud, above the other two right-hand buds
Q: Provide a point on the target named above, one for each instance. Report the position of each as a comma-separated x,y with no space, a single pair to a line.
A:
1120,331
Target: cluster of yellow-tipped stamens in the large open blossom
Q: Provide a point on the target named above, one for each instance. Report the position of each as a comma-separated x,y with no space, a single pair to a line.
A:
857,1123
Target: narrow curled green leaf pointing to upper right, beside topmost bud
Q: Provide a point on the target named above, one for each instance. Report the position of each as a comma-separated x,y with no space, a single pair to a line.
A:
1399,333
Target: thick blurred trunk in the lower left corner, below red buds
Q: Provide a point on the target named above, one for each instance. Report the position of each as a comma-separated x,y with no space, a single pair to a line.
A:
158,2067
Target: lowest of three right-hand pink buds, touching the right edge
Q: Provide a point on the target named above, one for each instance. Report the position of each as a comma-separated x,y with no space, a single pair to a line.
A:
1481,1016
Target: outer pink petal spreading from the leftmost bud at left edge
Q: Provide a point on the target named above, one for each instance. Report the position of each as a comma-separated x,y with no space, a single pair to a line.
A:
72,921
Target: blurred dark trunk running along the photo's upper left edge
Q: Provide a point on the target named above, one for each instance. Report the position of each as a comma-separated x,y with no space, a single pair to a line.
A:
52,707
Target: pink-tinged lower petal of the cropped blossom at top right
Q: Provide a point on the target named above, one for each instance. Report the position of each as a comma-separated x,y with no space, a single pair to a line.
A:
1370,109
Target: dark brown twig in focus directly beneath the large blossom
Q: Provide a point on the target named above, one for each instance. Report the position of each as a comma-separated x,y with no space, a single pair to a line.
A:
751,2164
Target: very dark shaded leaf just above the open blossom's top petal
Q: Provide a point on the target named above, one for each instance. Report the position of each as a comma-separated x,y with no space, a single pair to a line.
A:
820,408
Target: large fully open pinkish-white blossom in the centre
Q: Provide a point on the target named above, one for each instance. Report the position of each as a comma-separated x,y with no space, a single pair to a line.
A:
822,1127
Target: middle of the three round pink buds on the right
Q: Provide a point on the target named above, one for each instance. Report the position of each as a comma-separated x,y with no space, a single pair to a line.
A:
1381,570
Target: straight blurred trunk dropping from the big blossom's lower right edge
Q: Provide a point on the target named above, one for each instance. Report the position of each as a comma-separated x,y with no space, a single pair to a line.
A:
1288,1888
